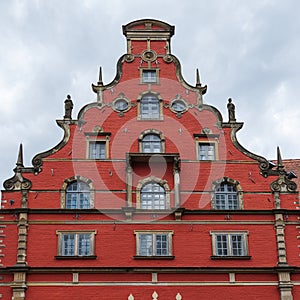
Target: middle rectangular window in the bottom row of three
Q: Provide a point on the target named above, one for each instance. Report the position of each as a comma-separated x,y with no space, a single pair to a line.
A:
154,244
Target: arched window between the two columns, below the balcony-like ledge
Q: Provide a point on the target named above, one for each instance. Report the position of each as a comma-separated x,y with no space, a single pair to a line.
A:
153,196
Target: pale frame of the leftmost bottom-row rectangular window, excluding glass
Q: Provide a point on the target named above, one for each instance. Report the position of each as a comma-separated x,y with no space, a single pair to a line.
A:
77,235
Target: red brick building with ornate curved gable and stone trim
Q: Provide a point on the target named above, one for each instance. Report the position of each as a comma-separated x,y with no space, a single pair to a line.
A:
149,195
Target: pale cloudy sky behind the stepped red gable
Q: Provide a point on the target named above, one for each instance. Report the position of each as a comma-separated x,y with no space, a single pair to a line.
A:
246,50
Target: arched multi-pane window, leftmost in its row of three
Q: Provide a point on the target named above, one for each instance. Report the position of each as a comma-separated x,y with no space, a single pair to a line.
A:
78,195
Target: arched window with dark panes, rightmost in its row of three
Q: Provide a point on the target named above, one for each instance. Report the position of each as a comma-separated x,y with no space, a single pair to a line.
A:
226,197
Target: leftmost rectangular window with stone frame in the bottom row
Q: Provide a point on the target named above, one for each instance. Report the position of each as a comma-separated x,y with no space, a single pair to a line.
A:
75,243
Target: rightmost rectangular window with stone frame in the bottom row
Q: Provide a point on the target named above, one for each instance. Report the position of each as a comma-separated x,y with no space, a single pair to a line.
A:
233,244
